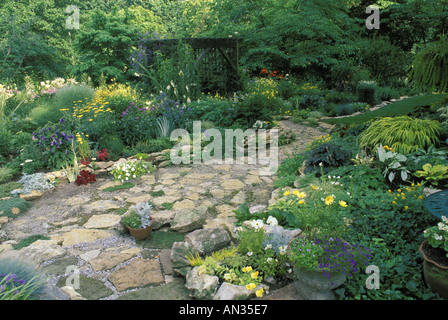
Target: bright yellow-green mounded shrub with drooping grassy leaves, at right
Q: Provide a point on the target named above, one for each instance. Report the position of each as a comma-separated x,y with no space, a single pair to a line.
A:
403,134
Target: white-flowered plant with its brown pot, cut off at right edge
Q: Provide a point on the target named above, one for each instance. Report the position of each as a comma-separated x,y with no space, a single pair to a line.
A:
435,255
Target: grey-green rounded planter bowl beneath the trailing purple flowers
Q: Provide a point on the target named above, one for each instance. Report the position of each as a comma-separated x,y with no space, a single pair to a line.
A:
315,285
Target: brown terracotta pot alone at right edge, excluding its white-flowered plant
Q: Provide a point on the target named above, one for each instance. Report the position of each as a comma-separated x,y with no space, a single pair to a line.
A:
435,275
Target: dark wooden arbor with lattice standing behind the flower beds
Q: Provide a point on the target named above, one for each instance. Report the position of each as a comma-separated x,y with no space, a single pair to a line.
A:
216,60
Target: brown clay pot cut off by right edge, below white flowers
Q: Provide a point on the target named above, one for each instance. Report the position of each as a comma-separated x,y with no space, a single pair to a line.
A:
435,269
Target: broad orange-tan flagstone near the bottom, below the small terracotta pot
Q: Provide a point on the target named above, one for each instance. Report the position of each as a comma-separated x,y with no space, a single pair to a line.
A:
138,273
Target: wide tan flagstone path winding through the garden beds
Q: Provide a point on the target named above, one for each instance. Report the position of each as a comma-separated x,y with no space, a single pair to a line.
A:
84,234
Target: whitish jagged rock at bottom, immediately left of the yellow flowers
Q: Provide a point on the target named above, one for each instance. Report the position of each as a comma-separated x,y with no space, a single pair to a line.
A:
202,286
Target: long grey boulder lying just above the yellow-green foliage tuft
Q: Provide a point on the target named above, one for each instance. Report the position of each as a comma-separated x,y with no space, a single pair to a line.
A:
205,241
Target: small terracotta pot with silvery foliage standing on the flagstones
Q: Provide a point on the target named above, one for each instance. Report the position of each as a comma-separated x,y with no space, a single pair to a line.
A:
138,220
